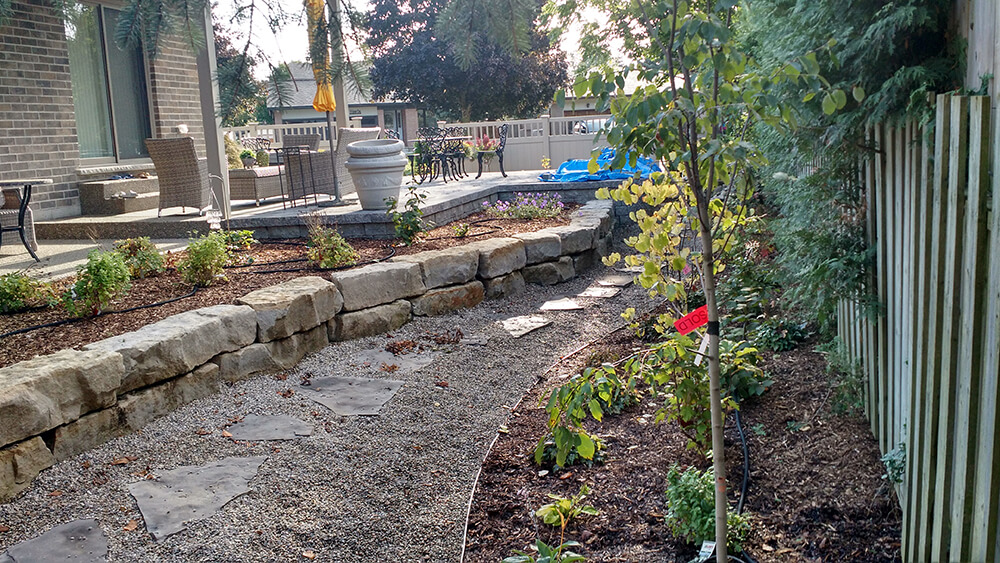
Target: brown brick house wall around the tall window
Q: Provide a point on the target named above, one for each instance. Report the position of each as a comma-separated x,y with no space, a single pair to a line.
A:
38,136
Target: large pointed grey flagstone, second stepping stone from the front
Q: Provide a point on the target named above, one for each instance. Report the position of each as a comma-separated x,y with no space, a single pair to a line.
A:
189,493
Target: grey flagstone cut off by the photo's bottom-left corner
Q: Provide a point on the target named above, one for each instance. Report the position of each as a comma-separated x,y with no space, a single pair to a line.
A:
81,541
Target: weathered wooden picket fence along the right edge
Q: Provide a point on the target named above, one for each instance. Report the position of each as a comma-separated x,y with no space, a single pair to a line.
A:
932,356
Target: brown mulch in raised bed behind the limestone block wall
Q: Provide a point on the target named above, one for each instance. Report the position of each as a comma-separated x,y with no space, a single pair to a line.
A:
241,281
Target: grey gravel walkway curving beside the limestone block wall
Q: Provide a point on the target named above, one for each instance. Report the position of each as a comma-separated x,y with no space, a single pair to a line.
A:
388,488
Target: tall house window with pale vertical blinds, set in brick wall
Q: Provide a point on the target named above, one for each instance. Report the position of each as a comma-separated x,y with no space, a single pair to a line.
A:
110,100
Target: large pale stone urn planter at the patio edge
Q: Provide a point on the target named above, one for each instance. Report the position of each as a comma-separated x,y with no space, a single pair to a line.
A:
376,166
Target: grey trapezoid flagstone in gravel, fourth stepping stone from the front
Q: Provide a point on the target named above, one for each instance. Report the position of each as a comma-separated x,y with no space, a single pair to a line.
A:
349,396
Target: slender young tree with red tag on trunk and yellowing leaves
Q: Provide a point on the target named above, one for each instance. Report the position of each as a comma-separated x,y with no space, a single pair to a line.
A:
702,97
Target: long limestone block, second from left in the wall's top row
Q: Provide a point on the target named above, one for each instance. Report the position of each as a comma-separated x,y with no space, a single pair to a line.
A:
179,344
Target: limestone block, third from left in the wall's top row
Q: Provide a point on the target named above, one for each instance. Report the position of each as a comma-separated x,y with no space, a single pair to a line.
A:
294,306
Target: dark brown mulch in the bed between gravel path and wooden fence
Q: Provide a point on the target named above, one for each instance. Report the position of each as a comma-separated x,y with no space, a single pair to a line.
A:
816,491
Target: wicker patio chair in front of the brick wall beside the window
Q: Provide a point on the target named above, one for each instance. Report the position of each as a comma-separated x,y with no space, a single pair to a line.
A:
182,176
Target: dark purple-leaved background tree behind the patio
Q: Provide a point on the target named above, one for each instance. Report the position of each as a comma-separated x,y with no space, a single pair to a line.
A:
412,60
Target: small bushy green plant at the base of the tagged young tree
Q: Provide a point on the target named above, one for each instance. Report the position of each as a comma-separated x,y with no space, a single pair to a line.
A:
691,508
